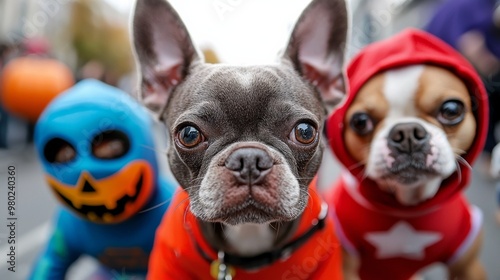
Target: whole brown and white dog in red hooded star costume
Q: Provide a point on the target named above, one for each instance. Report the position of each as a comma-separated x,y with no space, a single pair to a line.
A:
412,125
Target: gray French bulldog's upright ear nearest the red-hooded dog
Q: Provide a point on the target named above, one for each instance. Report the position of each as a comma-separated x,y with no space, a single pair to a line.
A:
317,48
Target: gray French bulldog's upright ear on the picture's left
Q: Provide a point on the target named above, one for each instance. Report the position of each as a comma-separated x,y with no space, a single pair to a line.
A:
164,51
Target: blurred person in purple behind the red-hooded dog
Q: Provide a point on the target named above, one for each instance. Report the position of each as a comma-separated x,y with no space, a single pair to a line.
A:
473,28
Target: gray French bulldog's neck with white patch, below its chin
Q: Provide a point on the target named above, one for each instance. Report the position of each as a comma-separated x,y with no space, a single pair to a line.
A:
248,239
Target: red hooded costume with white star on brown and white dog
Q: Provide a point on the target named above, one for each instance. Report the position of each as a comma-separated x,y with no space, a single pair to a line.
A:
372,224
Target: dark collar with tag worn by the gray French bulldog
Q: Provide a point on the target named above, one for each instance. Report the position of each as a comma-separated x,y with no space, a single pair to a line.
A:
222,268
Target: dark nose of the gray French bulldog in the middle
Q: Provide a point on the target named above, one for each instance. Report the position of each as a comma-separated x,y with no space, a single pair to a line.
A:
250,165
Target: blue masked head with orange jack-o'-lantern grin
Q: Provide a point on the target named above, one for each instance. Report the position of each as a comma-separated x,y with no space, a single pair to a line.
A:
97,150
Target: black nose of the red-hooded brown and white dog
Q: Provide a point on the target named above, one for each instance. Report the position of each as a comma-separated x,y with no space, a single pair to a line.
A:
408,137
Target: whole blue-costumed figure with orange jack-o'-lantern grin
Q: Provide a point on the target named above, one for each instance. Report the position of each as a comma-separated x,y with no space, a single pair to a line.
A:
97,151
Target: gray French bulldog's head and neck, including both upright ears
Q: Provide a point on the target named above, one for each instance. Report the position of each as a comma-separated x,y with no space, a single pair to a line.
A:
245,140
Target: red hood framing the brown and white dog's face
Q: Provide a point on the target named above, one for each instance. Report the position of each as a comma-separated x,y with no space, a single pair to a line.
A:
407,48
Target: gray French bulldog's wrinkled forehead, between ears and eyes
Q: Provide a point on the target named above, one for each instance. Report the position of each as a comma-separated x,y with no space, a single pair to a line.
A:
244,95
